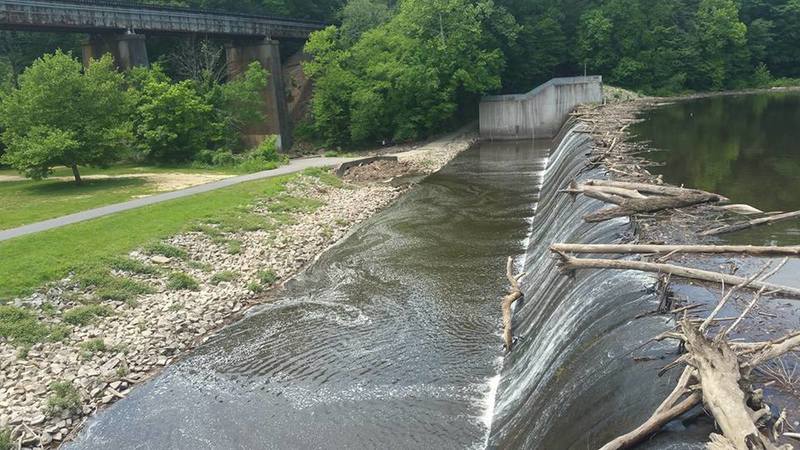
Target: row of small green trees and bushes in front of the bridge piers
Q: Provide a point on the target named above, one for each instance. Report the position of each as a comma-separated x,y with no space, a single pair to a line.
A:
60,114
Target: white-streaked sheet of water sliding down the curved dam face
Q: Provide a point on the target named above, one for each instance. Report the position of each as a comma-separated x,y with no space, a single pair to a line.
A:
572,381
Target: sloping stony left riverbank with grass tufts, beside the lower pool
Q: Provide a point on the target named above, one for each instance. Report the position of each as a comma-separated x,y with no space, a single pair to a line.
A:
186,288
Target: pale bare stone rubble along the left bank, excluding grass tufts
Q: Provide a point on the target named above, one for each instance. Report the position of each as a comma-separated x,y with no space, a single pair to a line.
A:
144,336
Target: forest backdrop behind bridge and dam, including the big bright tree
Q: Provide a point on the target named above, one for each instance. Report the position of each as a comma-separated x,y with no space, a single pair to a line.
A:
400,70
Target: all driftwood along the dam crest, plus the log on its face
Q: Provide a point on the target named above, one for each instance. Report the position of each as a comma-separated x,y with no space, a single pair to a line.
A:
717,372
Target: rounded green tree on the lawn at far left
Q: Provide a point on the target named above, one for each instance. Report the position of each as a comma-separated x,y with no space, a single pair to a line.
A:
63,115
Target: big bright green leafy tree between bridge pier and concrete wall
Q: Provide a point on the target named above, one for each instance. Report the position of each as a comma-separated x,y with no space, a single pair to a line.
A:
406,77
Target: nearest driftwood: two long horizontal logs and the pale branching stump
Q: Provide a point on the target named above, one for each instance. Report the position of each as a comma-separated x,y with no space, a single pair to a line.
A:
717,372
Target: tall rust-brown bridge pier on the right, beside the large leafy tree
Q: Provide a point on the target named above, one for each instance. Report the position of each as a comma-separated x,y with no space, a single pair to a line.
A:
239,55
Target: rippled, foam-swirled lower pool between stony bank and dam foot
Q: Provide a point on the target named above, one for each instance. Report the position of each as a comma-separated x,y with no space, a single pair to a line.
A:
390,340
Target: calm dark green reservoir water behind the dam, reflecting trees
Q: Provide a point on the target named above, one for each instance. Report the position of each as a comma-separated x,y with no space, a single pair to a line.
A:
746,147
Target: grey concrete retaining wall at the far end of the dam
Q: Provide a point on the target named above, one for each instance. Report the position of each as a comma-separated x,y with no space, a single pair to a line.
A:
541,112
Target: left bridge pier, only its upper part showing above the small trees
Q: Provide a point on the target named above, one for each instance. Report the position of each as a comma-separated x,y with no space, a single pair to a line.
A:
128,49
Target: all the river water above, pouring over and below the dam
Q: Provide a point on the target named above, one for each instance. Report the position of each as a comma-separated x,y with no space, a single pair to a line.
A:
391,339
